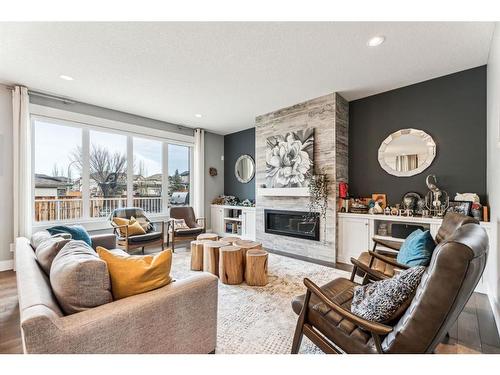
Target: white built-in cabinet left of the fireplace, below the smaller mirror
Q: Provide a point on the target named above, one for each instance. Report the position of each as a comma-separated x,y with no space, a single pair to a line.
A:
233,221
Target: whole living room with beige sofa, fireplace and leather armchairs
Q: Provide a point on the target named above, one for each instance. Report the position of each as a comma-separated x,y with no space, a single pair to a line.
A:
249,187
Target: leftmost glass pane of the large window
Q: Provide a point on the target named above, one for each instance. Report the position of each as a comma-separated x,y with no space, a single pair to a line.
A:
58,194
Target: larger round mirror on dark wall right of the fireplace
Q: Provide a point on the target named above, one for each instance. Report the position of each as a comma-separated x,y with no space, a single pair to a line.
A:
407,152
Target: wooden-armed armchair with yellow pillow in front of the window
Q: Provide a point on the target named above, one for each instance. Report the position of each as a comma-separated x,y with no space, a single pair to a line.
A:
152,237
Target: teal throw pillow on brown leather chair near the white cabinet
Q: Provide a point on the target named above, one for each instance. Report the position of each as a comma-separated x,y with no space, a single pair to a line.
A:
417,249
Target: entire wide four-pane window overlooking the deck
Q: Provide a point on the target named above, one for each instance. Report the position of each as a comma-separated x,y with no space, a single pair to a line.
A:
82,172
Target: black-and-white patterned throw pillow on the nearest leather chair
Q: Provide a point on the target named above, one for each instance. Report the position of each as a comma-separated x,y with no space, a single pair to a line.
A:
386,300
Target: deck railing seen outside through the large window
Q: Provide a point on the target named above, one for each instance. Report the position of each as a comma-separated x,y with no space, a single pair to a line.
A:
72,208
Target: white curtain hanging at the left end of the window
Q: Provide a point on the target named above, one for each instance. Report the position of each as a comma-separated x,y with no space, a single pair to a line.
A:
22,193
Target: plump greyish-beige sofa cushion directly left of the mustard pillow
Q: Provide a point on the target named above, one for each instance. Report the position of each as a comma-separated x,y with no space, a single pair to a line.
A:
79,278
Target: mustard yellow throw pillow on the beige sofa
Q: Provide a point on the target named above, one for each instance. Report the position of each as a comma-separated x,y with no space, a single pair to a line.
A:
135,274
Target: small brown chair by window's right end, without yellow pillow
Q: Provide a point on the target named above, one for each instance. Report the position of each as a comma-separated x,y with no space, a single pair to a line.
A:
178,235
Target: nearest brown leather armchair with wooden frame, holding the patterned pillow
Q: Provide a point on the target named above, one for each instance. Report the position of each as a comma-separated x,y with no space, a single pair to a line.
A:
456,266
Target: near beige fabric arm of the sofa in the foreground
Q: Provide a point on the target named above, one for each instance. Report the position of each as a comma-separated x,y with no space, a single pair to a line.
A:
136,324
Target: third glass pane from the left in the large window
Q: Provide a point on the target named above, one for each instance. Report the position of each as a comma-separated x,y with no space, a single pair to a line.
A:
148,176
